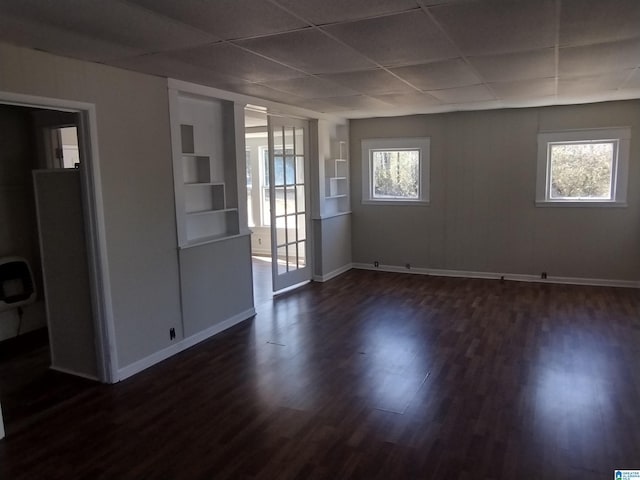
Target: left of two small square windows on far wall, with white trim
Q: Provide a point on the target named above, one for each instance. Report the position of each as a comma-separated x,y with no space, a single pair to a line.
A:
395,171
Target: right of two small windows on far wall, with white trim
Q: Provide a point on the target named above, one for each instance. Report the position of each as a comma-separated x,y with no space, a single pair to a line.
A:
583,167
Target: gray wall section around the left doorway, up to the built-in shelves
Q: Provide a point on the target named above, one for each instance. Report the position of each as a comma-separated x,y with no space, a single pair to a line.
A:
135,163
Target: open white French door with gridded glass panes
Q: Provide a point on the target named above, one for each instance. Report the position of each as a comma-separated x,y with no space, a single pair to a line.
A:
289,201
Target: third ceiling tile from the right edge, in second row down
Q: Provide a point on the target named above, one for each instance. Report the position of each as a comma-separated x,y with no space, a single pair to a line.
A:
439,75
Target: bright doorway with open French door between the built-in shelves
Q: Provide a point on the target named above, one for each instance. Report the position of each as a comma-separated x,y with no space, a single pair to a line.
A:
277,201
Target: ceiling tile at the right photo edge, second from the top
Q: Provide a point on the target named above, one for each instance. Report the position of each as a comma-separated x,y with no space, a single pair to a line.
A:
599,58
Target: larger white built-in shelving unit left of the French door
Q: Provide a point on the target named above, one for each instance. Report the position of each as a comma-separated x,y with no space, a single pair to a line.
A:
204,168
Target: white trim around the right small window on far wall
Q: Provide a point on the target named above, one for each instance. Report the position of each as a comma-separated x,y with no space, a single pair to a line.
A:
620,167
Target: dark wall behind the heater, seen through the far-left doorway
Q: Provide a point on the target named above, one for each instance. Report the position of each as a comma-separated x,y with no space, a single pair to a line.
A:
18,231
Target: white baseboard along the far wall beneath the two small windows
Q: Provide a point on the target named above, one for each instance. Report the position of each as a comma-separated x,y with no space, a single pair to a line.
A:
516,277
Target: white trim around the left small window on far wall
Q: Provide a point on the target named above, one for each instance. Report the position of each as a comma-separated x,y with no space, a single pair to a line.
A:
422,144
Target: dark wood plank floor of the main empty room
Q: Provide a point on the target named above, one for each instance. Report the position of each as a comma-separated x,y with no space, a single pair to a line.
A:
371,375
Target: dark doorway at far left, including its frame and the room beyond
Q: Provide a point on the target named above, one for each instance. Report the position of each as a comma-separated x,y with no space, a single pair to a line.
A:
58,344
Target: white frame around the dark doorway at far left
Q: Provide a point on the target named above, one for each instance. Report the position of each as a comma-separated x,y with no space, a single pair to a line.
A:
95,230
